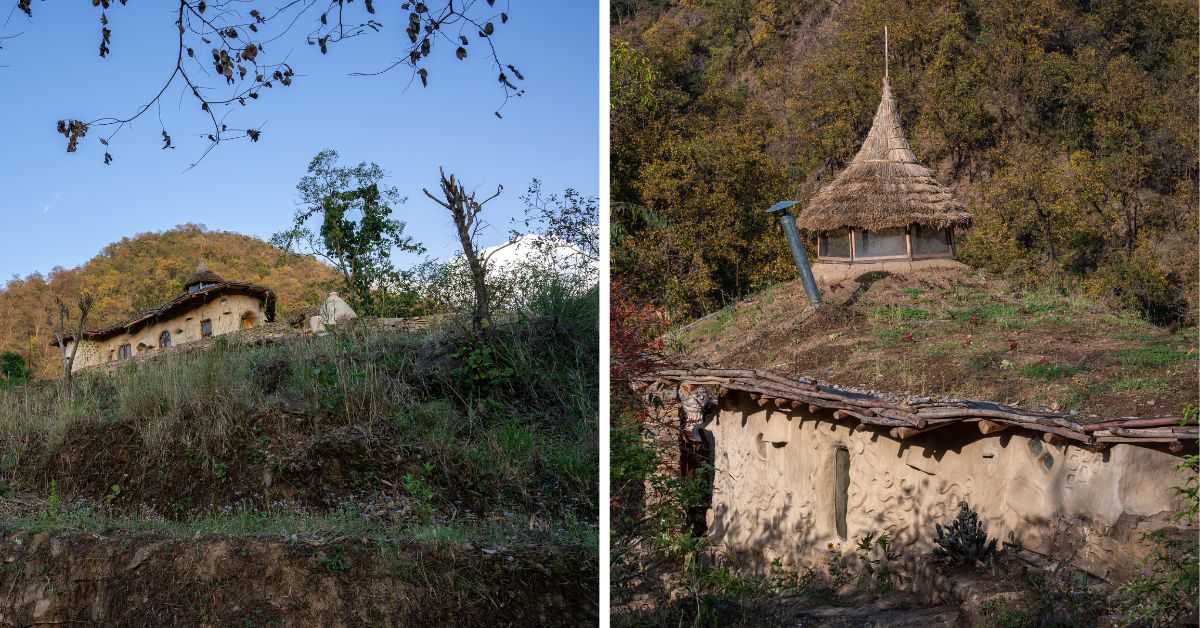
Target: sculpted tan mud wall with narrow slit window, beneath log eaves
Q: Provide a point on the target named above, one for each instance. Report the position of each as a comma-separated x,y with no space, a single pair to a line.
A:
773,491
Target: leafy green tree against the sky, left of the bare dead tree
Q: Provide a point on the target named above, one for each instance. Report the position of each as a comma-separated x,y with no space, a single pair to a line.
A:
355,232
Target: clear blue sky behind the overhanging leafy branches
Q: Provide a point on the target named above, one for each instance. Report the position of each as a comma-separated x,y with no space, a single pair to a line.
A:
62,210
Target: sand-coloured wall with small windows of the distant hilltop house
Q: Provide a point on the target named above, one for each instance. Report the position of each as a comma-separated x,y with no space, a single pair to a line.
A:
225,312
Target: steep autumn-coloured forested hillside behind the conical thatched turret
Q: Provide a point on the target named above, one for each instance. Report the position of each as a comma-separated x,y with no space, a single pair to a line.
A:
1069,129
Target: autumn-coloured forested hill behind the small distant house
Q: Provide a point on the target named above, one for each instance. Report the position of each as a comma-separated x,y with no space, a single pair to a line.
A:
142,272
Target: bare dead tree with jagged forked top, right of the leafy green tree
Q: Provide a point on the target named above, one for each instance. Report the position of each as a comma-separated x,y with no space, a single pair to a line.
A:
465,210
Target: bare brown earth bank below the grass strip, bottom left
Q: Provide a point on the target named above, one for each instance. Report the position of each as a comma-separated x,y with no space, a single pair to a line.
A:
152,581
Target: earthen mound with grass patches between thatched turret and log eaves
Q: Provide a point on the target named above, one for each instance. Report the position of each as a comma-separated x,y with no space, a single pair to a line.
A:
963,336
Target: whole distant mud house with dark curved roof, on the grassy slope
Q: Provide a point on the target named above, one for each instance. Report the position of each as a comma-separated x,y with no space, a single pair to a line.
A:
208,307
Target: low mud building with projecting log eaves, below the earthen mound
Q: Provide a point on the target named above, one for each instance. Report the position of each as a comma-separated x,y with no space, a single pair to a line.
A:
801,468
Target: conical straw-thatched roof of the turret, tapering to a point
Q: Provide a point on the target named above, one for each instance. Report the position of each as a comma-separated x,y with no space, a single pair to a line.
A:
884,187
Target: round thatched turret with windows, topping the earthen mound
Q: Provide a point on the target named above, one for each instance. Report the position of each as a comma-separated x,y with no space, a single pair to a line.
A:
886,211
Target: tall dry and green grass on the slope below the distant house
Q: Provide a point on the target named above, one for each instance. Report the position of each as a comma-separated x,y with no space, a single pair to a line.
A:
513,418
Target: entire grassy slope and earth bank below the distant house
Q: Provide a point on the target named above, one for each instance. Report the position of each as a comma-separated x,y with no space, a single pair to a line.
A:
397,479
